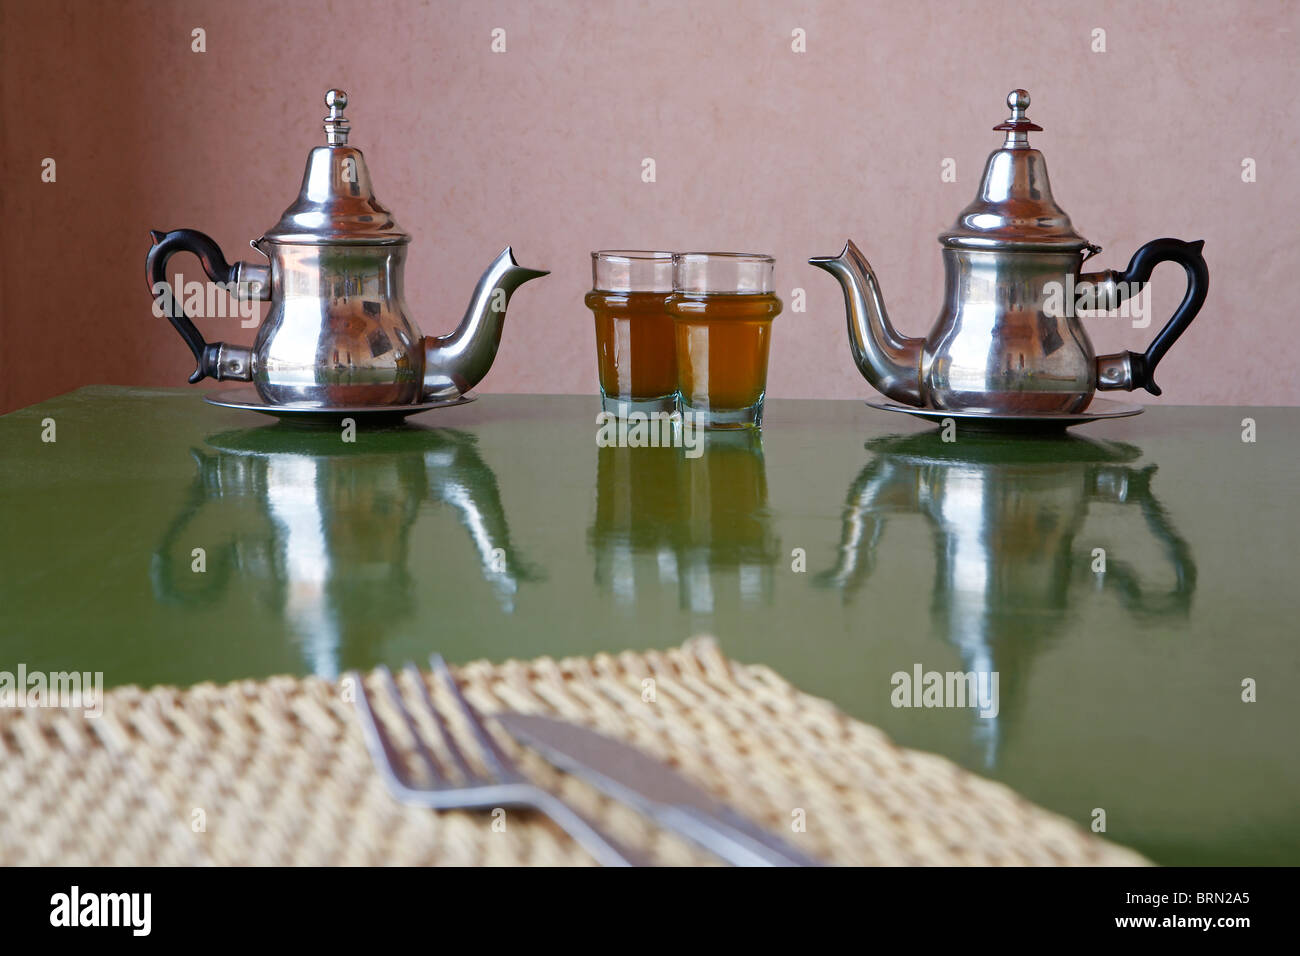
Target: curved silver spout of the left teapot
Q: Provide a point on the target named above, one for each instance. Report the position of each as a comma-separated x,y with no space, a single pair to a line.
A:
457,362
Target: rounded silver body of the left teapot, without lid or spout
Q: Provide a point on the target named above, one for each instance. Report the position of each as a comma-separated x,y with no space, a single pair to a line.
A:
339,332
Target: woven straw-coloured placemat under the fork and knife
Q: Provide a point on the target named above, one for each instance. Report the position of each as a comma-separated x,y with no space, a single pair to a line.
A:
276,773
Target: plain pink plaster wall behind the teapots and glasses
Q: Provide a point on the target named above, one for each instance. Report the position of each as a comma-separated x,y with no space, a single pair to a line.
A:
757,149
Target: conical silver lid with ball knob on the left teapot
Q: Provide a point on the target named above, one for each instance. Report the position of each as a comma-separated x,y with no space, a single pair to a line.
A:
337,204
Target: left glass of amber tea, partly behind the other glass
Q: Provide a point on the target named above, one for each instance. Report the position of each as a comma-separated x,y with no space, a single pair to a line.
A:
634,334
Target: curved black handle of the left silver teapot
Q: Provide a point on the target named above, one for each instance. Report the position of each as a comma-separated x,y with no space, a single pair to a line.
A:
215,360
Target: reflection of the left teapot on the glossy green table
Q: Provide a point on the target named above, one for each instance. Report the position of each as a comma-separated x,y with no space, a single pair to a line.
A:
322,530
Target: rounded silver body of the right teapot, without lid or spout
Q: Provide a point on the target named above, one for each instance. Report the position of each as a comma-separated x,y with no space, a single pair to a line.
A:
1003,343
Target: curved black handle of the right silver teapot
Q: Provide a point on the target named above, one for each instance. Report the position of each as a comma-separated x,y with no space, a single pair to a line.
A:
1129,370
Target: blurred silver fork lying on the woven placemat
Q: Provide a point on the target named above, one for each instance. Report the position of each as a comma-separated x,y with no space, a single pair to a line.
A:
504,786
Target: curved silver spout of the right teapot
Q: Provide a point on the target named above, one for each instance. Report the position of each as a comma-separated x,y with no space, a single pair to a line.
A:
889,361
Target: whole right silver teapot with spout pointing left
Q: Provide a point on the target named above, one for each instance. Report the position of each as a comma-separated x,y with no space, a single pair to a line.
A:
1007,340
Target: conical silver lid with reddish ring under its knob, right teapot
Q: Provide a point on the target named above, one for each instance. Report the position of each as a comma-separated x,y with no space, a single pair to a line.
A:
1015,207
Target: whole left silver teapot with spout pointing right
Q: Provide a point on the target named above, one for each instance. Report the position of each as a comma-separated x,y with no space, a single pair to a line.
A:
339,332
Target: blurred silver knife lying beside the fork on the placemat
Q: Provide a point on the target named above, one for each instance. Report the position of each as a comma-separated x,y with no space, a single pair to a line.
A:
655,789
